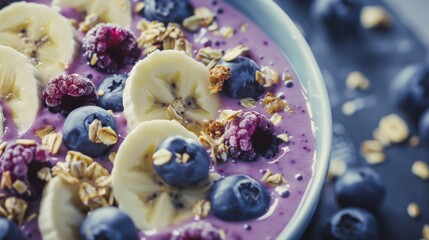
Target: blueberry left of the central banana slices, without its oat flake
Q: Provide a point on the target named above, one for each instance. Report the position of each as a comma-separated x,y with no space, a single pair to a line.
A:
76,130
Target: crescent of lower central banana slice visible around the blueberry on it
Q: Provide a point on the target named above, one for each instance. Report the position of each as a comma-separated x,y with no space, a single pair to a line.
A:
137,188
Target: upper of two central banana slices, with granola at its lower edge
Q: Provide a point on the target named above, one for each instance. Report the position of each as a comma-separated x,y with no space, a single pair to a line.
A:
169,85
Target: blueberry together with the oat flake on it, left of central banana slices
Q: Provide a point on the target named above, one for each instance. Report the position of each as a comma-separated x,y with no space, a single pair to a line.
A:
90,130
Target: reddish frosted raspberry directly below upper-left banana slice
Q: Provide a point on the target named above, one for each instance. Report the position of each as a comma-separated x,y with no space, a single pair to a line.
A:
68,92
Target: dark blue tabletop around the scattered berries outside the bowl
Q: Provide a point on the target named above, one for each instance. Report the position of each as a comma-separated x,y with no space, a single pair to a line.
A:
380,56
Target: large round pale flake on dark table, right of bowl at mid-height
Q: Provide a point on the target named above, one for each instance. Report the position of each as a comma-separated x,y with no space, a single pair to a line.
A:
393,128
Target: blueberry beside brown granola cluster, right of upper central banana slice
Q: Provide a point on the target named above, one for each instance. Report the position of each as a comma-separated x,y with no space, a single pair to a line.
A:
242,82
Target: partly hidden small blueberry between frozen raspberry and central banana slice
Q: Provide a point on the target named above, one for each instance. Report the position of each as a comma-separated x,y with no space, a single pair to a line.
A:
113,88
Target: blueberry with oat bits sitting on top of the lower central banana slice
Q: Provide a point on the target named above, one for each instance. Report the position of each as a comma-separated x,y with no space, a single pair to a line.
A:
188,164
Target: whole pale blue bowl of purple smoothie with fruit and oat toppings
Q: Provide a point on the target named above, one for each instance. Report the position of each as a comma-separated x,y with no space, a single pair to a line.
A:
158,119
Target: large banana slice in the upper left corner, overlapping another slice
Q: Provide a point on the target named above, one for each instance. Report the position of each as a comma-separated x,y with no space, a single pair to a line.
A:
41,33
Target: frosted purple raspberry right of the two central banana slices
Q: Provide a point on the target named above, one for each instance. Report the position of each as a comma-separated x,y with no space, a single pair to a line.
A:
249,134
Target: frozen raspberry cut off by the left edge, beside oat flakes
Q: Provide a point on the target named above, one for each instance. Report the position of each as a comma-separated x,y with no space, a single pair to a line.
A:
17,158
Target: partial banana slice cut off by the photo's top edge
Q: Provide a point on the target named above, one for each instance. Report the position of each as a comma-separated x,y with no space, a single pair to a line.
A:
107,11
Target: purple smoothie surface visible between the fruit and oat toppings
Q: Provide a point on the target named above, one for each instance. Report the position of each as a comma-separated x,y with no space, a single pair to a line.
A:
294,160
